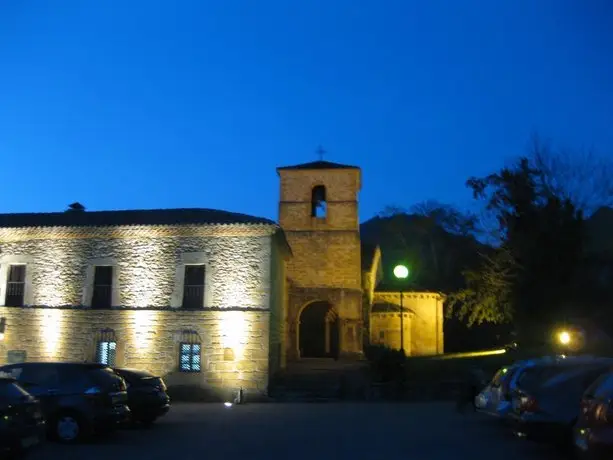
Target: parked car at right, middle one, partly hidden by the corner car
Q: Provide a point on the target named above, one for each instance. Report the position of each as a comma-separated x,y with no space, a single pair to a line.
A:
546,404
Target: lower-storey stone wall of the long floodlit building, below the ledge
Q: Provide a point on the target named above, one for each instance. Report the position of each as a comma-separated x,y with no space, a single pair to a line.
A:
149,339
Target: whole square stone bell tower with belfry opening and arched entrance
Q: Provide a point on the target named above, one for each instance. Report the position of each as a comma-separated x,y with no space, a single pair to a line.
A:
318,211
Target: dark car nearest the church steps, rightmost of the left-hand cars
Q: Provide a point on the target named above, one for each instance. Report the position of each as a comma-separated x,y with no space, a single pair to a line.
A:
147,396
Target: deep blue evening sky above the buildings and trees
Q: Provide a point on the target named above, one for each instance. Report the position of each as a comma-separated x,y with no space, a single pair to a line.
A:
125,104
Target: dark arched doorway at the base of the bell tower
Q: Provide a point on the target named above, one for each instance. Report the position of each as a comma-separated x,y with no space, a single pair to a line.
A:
318,333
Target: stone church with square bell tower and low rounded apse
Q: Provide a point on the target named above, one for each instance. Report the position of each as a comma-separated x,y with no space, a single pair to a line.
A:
335,287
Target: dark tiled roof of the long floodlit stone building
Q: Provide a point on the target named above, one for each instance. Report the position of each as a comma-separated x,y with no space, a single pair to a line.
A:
74,218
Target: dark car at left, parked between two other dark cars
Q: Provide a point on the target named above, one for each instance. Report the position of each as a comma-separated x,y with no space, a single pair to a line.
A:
77,399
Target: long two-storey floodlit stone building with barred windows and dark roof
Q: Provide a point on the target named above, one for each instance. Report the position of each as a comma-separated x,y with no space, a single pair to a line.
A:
194,295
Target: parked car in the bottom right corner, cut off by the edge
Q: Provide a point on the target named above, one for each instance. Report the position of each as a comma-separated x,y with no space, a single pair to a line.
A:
593,433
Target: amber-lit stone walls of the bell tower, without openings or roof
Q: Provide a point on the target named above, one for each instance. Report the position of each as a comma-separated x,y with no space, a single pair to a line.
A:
326,252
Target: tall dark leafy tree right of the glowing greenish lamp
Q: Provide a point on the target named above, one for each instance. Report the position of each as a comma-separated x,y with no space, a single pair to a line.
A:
530,278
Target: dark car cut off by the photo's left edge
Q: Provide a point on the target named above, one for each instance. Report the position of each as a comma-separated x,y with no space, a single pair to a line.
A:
22,425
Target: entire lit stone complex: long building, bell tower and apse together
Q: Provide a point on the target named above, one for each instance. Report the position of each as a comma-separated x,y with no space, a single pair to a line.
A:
210,300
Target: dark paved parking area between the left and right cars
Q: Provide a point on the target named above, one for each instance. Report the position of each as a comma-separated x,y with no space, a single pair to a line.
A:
308,431
